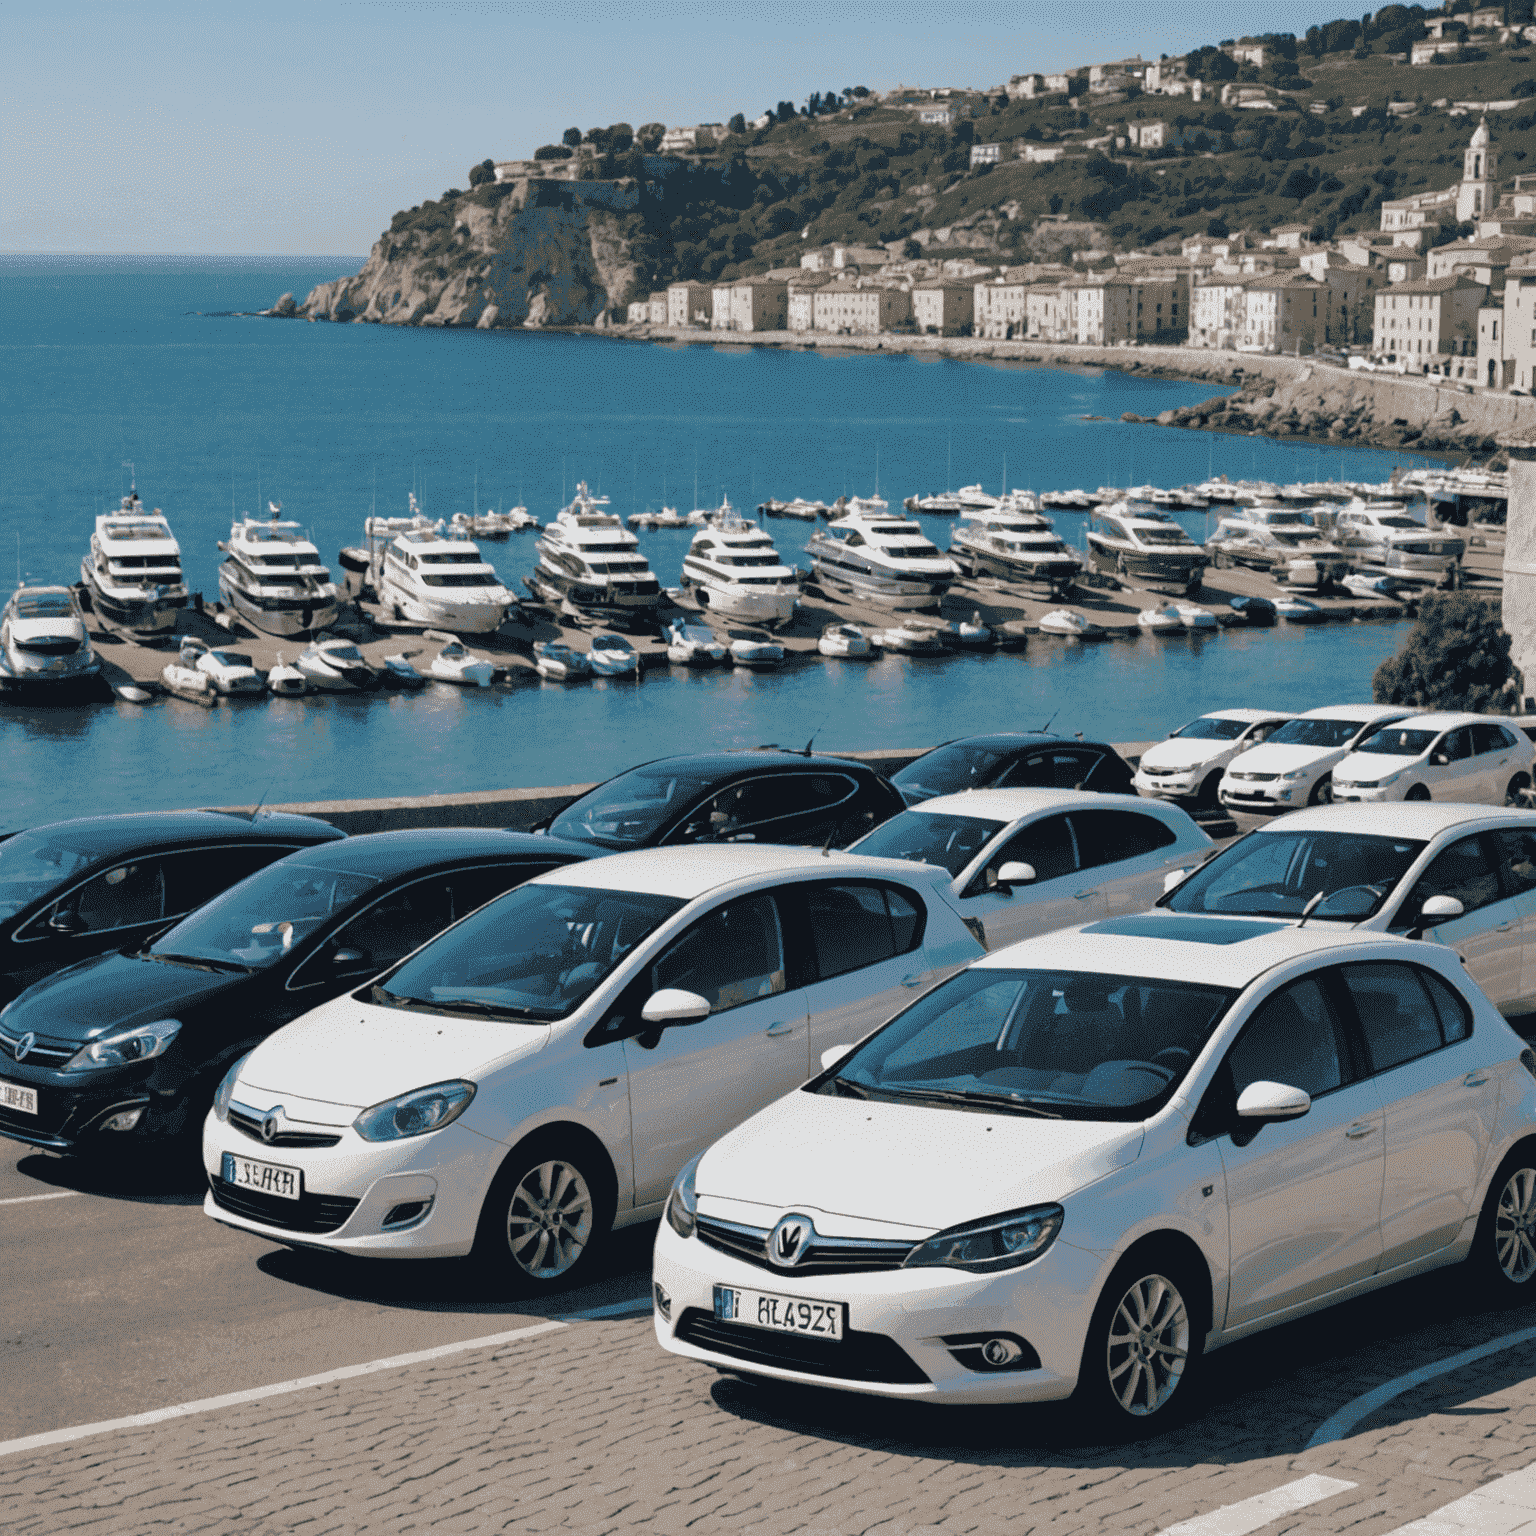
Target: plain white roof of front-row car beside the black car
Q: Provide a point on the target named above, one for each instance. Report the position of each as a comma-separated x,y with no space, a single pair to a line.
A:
698,869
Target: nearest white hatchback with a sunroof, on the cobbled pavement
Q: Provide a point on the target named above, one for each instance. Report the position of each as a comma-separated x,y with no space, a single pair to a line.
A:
1088,1160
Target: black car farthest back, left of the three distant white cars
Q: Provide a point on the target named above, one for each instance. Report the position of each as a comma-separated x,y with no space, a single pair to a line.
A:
1021,760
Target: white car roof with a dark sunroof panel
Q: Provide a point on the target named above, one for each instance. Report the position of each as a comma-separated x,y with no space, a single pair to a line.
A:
1217,952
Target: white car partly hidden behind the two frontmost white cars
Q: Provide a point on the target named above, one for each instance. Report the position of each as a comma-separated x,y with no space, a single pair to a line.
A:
1027,861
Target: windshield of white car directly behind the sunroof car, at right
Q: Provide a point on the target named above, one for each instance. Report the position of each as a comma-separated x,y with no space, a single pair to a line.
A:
1279,873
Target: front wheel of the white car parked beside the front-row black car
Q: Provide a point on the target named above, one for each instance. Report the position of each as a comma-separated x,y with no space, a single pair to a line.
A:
548,1216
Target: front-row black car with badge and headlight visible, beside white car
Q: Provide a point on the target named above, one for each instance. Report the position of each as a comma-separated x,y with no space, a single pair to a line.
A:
131,1047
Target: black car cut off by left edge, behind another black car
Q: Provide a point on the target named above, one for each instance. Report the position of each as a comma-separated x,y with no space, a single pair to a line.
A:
71,890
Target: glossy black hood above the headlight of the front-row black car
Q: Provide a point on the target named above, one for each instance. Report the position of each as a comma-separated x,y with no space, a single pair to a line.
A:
113,991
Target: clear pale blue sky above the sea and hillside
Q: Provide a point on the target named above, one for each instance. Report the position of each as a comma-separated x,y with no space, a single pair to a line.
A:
300,128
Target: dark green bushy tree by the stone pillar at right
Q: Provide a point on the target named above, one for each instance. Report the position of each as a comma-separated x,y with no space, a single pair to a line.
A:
1457,657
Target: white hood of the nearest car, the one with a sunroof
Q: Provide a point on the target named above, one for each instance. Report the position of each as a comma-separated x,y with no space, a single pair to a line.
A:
898,1164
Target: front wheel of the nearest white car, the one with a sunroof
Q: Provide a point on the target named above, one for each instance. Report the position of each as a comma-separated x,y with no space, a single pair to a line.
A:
1144,1351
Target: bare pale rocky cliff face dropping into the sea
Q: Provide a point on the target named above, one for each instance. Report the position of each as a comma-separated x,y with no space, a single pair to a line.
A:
528,253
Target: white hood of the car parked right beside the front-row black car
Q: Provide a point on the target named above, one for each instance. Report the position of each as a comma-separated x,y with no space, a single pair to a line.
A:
356,1054
